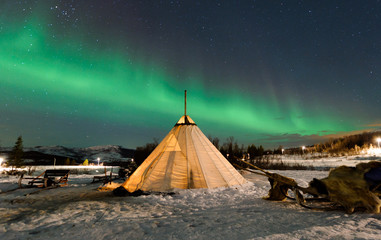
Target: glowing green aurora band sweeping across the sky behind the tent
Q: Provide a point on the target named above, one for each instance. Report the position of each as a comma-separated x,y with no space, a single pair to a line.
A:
71,83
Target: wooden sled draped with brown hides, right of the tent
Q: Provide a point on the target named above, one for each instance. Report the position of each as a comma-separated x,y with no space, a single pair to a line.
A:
345,188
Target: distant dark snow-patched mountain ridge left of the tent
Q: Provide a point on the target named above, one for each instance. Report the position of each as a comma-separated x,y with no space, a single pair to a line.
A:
47,154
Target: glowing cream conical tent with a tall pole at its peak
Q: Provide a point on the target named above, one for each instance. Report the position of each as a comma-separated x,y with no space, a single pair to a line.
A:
184,159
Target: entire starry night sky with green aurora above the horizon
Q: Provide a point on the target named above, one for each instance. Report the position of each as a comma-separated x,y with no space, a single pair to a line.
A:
86,73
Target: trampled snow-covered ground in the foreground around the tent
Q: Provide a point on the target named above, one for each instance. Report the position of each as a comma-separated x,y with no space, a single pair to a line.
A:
78,211
